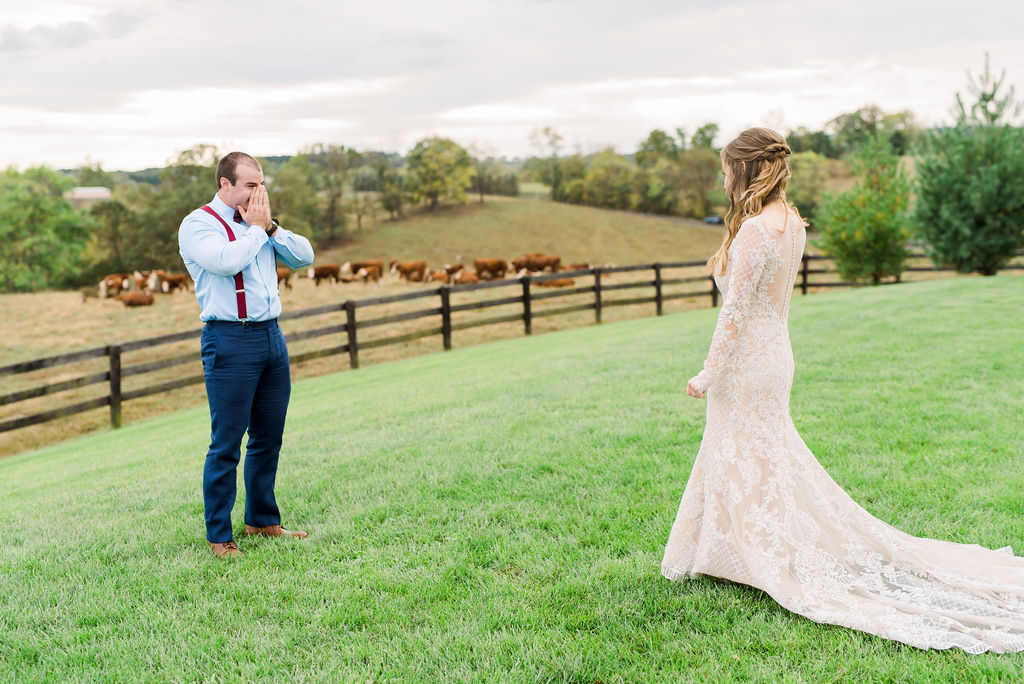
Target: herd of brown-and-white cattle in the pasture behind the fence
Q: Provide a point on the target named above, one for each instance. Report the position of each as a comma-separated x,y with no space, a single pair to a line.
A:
138,289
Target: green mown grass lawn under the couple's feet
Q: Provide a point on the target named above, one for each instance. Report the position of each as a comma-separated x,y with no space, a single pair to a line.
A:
499,512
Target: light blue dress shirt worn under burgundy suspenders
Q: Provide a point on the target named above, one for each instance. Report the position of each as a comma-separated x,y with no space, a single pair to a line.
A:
212,263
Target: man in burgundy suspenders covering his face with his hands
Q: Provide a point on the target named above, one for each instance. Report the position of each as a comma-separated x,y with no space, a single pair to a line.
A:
230,248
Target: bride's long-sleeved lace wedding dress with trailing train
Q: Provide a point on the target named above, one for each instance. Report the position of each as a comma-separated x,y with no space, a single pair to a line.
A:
760,510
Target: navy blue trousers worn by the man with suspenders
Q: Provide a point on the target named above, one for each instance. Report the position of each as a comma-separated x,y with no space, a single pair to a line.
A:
248,386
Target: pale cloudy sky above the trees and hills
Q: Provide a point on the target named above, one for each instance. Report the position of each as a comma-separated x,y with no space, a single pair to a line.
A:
131,83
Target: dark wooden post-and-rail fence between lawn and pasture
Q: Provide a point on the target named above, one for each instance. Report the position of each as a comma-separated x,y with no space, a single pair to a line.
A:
527,297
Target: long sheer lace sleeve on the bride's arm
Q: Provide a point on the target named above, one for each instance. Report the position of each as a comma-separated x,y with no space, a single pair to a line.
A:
747,261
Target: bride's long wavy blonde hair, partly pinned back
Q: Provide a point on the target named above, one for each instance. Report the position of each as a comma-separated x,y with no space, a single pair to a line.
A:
760,175
